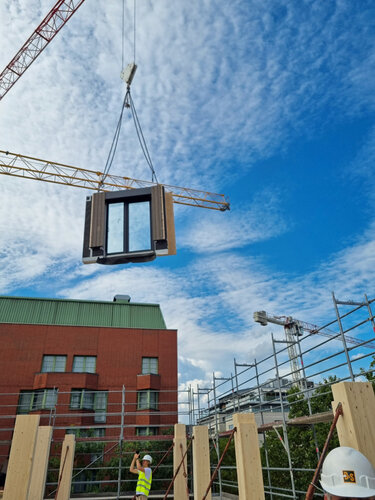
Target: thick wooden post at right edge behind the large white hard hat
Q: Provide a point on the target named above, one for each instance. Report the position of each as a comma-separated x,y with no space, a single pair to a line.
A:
356,427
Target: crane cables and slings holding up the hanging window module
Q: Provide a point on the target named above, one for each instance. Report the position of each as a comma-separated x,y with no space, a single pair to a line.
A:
128,103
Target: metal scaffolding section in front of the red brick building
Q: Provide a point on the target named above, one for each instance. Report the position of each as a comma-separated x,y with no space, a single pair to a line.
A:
105,441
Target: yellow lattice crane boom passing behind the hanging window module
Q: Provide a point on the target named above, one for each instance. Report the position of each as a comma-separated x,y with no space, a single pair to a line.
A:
28,167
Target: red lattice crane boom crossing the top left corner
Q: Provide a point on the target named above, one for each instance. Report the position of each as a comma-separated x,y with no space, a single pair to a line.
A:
58,16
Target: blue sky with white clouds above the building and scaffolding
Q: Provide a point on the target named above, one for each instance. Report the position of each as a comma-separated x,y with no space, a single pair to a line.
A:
269,102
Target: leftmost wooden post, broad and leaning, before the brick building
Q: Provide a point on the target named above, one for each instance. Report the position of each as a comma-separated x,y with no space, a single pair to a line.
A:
21,457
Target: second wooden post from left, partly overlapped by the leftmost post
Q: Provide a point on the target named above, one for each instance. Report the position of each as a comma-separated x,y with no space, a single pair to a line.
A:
40,463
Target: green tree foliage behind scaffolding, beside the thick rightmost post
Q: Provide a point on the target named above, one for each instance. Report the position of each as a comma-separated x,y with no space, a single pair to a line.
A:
302,440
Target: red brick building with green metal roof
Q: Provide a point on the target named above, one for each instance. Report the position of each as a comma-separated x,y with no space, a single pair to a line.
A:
69,360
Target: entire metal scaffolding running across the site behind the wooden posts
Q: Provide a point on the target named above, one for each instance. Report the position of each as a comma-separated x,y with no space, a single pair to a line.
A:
106,438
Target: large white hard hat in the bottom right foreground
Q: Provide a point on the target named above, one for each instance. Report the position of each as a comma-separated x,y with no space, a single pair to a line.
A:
348,473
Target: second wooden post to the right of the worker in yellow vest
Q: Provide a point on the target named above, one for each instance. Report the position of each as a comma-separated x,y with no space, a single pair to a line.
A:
201,462
